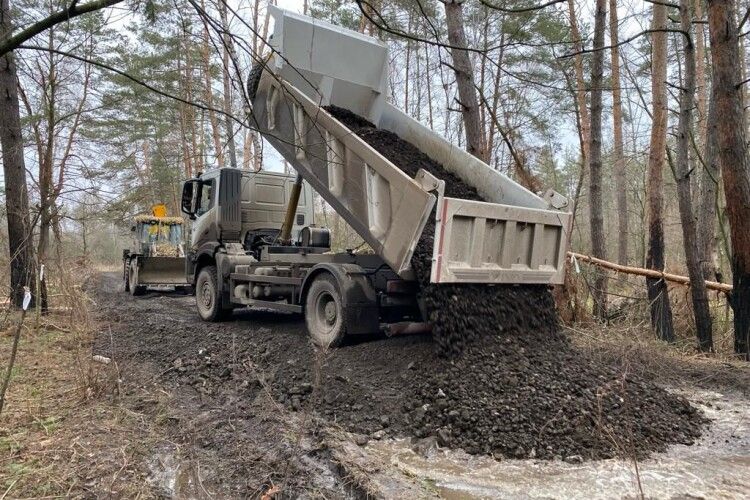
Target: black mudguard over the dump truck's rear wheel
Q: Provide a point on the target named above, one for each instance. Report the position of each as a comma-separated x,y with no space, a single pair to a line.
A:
359,299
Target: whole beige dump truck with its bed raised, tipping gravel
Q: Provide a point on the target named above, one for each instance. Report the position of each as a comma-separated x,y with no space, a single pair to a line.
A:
514,236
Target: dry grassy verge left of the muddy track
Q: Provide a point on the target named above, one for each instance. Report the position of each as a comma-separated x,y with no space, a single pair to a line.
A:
63,432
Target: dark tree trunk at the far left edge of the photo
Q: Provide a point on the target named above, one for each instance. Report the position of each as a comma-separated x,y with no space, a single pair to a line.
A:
14,170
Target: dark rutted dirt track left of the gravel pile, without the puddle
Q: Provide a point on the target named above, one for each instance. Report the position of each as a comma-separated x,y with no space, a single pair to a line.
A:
233,399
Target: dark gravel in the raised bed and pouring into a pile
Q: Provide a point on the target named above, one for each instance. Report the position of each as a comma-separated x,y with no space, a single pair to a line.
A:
507,381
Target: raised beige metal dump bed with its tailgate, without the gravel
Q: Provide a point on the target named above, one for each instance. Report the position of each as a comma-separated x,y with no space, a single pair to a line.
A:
514,236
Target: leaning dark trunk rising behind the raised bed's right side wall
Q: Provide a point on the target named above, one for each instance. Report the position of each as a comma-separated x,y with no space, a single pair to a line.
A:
467,94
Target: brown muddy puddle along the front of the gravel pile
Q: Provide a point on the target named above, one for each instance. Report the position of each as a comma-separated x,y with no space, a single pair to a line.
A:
717,466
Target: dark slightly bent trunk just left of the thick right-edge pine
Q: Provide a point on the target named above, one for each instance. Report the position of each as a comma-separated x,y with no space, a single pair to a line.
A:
682,173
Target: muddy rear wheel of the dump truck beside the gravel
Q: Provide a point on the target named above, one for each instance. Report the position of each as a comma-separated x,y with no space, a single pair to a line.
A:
324,312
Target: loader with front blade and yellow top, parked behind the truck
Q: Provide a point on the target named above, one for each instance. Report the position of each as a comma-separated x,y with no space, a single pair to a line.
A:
158,255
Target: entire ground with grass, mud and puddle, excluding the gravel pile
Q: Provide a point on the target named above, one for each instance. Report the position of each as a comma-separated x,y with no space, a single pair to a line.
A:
187,409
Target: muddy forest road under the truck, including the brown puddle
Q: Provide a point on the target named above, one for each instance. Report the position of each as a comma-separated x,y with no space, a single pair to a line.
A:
248,406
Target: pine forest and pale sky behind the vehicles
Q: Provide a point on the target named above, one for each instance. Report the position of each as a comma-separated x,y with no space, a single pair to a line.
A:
635,111
